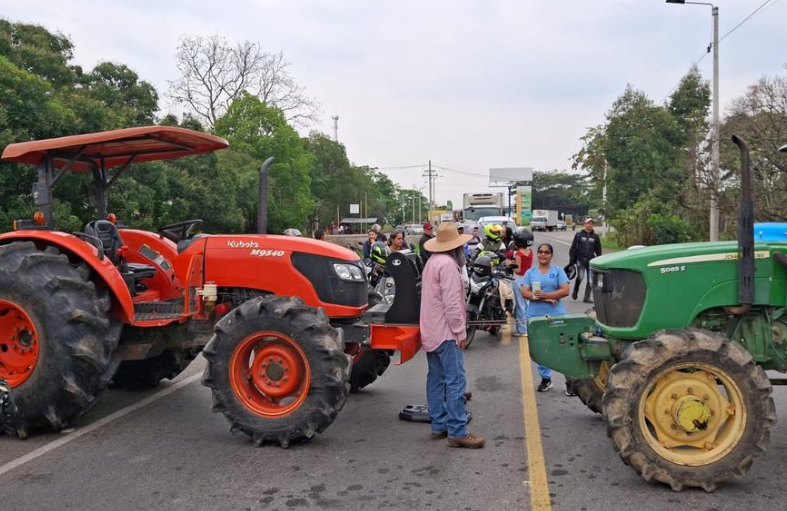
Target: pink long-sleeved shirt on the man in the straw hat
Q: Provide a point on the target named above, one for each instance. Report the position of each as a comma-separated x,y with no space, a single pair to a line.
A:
442,302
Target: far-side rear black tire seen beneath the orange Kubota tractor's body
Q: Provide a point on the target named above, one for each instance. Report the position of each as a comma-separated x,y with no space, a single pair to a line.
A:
147,374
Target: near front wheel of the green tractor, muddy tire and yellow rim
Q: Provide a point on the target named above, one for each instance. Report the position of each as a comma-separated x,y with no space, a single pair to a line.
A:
681,386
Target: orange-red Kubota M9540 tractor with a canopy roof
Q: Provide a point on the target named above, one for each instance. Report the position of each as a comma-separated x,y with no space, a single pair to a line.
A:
282,321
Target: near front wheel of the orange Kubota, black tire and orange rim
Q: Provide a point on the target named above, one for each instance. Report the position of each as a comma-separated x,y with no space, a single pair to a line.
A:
295,345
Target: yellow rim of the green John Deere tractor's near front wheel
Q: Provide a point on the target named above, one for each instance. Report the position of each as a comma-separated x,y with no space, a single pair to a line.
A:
693,414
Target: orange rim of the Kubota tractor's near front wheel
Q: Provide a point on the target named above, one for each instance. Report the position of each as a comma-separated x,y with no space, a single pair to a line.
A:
269,373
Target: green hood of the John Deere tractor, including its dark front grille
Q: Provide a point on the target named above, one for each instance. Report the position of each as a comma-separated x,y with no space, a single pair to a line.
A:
639,291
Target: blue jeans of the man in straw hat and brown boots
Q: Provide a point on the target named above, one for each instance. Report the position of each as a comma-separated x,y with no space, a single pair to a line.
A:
445,389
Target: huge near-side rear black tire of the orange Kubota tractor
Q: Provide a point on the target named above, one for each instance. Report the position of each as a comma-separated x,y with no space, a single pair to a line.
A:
75,337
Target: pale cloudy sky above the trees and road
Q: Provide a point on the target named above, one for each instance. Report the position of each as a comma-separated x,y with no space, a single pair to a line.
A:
469,84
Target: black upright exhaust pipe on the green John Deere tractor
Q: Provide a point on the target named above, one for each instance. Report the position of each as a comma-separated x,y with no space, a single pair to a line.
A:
745,234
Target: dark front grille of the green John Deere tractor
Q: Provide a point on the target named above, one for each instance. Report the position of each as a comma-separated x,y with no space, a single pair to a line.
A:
618,296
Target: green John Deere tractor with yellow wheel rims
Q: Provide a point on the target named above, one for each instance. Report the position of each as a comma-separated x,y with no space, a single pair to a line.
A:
676,355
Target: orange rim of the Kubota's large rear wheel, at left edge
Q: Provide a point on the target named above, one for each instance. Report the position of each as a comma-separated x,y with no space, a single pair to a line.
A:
19,344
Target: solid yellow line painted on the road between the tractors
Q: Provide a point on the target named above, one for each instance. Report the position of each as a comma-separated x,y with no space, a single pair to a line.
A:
539,489
